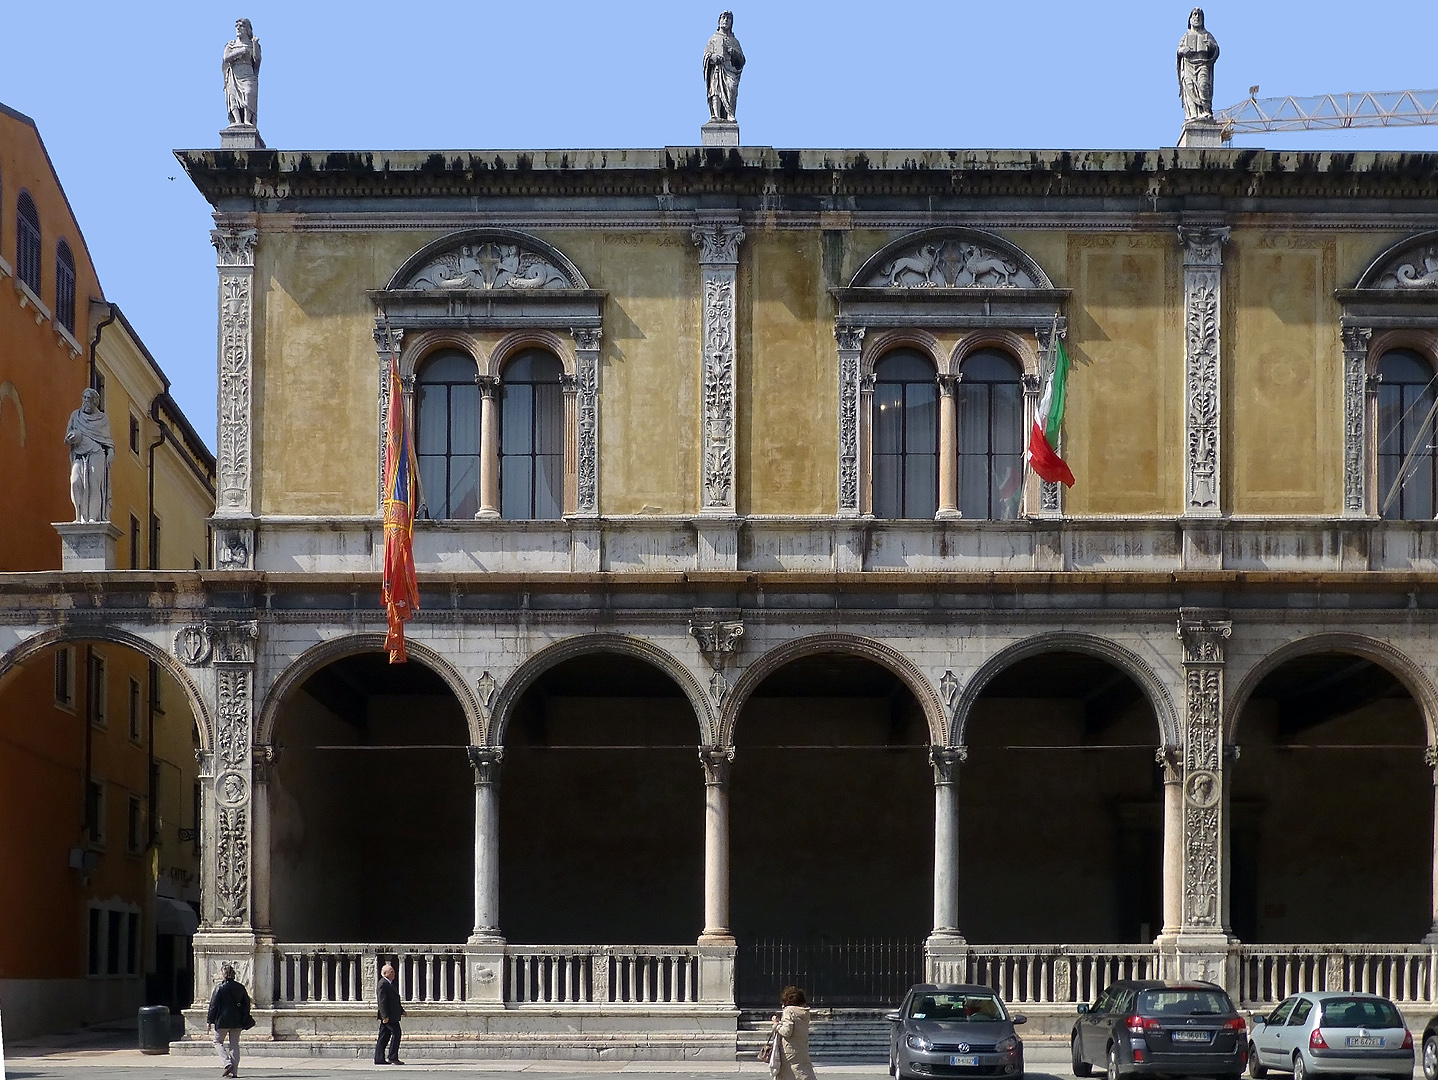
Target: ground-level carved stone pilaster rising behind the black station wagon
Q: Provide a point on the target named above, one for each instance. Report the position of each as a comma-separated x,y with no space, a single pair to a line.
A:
1203,773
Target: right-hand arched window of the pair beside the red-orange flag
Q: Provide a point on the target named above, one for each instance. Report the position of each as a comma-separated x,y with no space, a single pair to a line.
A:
531,438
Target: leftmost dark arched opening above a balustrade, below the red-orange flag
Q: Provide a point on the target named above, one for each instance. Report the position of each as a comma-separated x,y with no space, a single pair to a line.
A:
372,807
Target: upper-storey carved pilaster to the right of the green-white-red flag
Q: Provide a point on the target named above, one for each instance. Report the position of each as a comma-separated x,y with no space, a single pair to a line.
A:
1203,413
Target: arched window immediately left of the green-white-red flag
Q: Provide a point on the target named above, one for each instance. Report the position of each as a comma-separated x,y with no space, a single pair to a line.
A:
992,436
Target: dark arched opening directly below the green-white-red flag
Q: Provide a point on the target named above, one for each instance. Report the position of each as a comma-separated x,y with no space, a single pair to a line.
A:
1061,807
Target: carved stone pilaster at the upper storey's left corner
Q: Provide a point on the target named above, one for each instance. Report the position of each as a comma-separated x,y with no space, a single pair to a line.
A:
235,251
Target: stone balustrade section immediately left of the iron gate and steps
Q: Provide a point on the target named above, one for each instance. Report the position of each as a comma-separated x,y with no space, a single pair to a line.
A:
602,974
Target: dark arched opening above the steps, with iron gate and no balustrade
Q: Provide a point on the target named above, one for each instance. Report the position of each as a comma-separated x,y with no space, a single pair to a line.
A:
832,842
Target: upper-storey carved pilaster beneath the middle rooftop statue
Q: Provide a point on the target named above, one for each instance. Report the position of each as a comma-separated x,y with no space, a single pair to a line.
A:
720,262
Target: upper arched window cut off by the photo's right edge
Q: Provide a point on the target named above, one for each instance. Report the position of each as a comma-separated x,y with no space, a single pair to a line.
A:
1406,436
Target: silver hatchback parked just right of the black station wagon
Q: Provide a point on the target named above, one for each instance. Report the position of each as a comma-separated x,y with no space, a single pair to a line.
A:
1332,1033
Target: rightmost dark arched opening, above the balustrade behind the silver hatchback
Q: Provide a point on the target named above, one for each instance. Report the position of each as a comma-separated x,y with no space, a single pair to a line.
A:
1332,806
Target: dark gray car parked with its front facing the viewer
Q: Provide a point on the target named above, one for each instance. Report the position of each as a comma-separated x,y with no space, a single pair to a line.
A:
957,1030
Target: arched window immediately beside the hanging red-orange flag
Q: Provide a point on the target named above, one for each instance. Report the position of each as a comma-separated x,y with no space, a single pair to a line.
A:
446,419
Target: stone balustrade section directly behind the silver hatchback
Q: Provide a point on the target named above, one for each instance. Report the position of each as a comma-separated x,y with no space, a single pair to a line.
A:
1272,973
